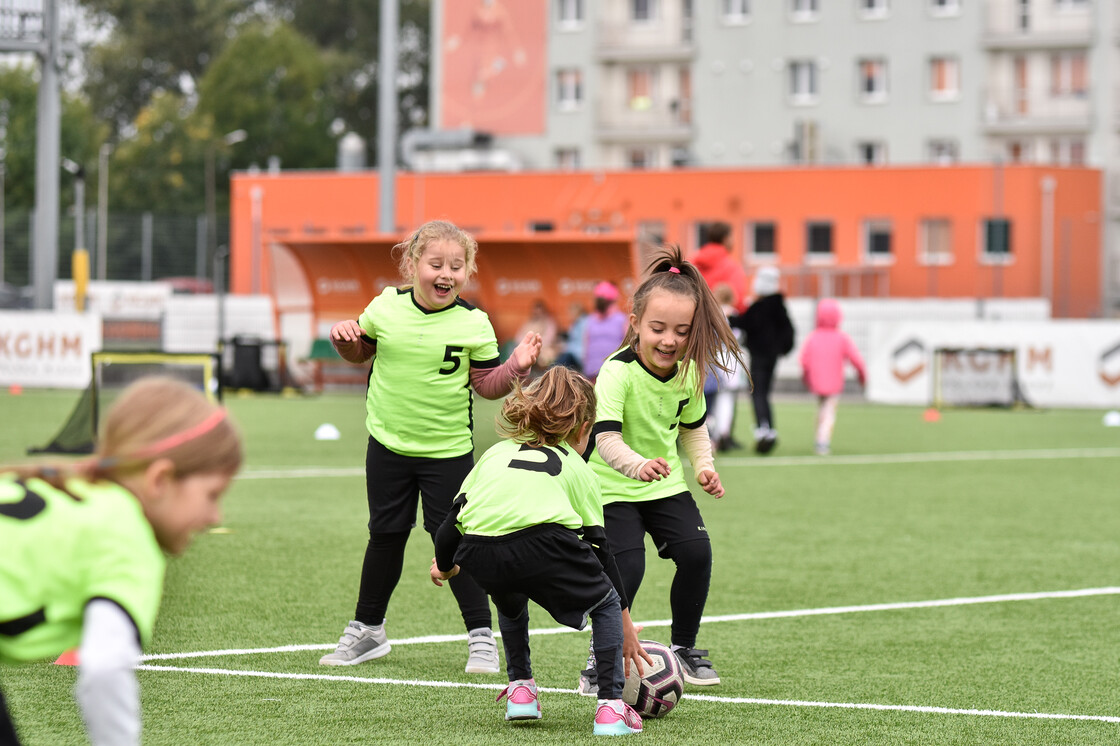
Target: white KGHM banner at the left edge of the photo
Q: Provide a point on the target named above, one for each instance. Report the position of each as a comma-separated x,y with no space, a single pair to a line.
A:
48,350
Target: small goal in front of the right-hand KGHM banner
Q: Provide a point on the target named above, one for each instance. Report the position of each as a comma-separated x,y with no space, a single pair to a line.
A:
977,377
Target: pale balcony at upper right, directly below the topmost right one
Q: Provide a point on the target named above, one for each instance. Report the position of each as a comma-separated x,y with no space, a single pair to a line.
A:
1035,111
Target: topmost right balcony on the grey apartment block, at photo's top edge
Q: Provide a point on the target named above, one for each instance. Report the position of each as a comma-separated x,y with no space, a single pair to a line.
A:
1058,25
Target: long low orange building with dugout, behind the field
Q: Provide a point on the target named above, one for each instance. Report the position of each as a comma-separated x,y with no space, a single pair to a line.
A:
311,239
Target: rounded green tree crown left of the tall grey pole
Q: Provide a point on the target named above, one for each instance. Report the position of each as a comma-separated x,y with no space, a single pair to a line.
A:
270,82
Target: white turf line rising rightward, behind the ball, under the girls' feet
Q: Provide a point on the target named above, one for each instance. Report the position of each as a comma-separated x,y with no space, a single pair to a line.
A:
1084,593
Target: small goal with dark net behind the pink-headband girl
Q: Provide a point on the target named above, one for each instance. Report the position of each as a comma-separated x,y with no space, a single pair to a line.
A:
111,374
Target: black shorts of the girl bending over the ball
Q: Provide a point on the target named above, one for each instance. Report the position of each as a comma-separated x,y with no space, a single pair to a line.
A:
548,564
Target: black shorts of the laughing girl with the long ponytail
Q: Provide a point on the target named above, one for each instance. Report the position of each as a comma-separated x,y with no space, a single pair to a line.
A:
668,520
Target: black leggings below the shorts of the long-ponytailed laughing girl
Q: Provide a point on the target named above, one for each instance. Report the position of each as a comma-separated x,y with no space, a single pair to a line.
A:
689,592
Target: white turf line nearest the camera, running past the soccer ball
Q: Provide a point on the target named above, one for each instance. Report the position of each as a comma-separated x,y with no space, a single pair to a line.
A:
705,698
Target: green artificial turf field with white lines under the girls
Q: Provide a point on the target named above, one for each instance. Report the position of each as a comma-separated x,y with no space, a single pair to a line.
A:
919,586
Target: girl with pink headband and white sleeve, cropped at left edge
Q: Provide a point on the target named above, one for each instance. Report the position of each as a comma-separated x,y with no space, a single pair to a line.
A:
82,546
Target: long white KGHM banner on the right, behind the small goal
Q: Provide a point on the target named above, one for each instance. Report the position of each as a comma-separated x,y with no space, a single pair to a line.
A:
1061,363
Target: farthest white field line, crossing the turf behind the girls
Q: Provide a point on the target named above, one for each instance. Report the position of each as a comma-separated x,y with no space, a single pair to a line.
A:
867,460
